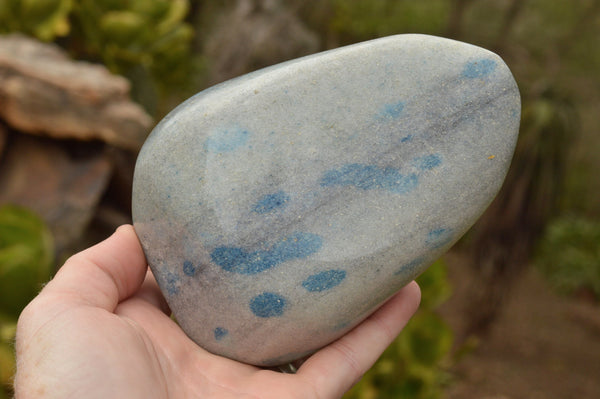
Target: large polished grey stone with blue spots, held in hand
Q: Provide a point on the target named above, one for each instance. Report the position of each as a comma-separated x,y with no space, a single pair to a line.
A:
279,209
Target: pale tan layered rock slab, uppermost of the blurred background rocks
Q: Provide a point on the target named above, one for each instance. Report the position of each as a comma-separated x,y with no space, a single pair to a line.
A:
43,92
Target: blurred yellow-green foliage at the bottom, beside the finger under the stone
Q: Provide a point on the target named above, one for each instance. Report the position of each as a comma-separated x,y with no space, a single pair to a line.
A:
413,366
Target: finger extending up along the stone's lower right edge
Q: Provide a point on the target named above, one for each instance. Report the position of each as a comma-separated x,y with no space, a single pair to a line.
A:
334,369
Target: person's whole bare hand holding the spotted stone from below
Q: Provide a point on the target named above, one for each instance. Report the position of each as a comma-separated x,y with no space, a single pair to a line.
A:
101,329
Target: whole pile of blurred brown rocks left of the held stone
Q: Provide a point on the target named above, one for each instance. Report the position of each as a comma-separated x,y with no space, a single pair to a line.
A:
69,135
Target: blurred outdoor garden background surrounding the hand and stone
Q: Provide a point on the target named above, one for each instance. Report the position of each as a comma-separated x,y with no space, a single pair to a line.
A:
512,311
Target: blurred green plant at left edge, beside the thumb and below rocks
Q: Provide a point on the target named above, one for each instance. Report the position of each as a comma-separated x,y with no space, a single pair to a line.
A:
26,262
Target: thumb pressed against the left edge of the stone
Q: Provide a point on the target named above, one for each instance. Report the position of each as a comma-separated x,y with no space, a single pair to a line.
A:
104,274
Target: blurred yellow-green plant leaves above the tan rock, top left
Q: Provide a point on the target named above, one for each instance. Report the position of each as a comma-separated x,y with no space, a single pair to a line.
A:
147,41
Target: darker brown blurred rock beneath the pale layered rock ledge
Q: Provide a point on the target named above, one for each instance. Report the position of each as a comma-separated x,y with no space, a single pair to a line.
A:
61,186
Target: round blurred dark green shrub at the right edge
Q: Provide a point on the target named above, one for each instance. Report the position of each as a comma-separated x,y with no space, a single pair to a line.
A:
569,255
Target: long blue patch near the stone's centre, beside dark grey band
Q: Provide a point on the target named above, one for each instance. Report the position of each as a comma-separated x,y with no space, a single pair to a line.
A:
370,177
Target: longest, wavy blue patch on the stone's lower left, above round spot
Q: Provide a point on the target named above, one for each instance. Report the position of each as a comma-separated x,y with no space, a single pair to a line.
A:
238,260
